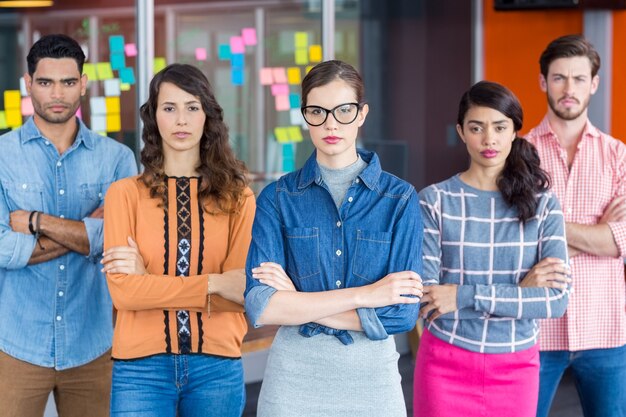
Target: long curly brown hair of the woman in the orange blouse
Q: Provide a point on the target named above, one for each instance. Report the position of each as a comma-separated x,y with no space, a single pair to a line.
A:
223,178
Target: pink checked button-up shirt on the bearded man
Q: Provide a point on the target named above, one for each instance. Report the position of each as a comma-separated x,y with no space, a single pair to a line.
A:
596,315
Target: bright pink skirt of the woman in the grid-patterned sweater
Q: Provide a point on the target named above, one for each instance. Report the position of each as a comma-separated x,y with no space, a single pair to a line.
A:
455,382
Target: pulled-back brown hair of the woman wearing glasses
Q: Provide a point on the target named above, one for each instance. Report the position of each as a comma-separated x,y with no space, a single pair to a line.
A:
329,71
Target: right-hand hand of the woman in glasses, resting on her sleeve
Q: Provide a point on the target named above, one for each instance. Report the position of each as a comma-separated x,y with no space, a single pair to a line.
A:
395,288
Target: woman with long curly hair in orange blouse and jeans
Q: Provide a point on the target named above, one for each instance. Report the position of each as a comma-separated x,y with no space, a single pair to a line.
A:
176,239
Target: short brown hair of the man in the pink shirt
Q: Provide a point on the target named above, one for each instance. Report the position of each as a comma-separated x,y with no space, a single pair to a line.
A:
569,46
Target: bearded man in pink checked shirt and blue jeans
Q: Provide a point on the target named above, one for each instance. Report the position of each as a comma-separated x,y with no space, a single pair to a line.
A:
588,170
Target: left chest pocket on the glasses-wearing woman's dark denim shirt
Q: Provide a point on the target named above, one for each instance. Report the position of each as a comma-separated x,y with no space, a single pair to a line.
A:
302,252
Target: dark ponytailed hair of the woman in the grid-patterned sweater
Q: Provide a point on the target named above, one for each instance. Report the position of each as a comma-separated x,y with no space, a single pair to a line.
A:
522,177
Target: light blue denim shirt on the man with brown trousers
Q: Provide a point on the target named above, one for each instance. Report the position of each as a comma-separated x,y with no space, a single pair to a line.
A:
56,313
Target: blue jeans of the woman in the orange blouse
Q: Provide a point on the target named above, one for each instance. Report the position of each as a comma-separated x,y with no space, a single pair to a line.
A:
178,386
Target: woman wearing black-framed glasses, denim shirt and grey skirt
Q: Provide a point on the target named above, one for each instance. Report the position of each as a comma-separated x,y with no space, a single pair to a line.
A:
334,260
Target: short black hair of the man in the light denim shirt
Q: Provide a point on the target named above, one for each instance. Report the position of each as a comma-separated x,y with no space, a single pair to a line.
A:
55,46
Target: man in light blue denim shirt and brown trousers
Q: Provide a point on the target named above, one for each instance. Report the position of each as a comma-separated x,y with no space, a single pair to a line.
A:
55,326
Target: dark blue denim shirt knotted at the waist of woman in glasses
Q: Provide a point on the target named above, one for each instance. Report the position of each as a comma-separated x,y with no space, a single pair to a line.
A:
377,230
